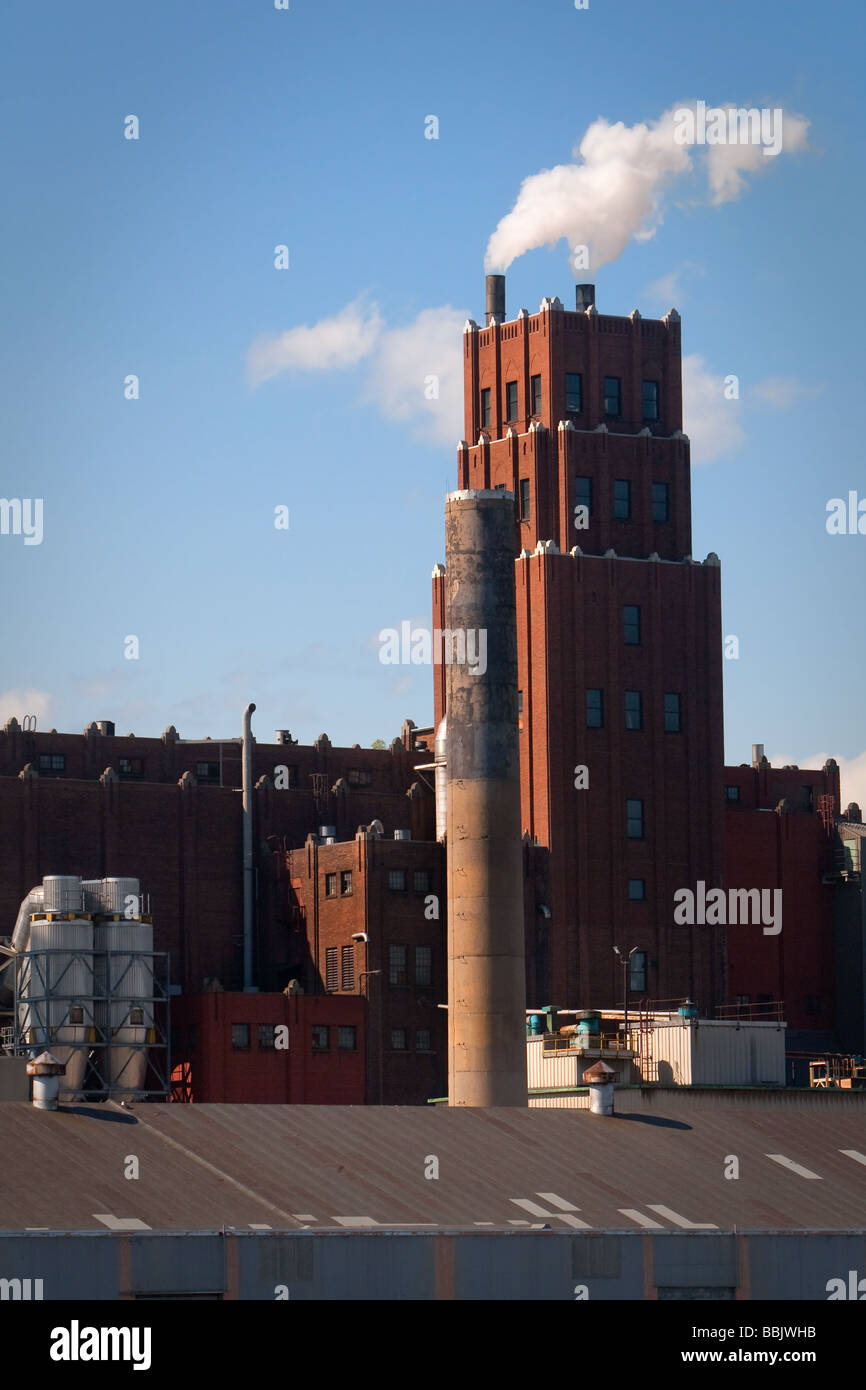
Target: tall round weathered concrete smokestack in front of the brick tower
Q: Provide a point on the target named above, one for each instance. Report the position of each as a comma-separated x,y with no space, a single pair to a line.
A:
487,1060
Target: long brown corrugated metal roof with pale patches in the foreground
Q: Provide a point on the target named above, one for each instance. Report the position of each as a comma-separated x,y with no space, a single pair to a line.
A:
660,1163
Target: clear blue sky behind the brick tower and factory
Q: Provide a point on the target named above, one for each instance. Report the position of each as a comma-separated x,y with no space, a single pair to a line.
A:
307,127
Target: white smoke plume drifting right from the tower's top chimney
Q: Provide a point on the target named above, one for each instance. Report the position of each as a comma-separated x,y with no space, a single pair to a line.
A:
615,190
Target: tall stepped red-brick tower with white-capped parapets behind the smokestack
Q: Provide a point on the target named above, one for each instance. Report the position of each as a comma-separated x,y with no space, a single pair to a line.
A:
619,643
